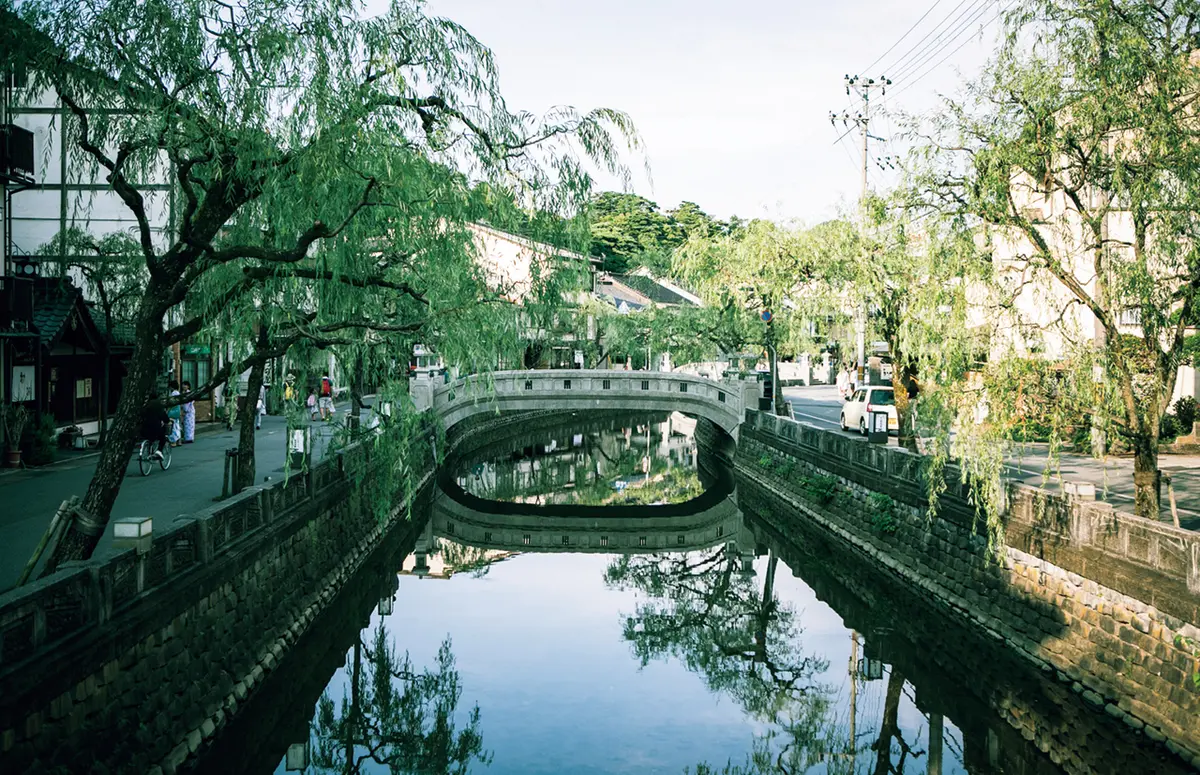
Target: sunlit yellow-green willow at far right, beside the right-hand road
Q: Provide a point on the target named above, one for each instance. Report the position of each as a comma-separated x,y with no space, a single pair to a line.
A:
1077,158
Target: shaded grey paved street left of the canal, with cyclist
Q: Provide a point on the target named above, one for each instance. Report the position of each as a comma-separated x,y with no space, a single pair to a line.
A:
29,498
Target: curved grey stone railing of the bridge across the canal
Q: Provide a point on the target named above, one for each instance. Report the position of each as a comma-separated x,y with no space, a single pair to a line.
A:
722,402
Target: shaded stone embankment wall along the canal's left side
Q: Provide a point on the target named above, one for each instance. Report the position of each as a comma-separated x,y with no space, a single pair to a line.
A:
133,664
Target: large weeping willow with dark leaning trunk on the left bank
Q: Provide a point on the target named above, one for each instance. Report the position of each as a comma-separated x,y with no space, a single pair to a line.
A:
280,125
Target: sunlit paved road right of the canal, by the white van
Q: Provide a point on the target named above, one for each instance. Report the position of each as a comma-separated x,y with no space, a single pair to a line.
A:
1113,477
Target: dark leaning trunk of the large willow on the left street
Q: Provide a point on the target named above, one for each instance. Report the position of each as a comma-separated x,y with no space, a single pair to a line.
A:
80,540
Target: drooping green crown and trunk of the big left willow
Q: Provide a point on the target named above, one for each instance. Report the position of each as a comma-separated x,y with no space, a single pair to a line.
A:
327,166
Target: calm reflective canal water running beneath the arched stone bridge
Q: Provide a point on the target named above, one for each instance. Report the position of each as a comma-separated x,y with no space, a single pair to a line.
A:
598,593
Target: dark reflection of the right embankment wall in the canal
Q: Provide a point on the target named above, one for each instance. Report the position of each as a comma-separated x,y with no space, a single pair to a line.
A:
1011,717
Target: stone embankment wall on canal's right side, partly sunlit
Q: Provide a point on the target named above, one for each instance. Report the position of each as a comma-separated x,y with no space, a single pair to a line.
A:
1131,648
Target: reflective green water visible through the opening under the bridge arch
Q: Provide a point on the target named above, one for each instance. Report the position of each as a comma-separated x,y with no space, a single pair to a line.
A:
650,460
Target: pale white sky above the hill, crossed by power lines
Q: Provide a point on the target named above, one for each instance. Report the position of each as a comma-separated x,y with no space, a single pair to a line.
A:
733,99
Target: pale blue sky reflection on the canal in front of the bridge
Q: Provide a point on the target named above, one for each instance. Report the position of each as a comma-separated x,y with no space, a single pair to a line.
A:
539,647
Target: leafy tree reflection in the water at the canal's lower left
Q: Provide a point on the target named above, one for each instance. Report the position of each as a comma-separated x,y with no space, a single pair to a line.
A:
397,717
